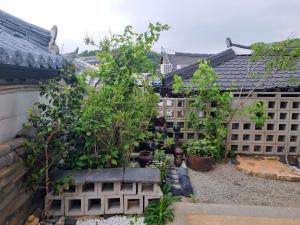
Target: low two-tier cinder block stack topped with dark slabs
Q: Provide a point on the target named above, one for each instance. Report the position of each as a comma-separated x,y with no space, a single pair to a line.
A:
106,191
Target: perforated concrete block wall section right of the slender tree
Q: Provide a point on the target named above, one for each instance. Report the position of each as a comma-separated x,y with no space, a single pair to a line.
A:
279,134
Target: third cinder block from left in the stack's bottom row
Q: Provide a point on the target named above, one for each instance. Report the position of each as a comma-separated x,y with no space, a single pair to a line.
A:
93,205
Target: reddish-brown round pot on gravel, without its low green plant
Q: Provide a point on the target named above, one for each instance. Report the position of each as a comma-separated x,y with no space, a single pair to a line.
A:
199,163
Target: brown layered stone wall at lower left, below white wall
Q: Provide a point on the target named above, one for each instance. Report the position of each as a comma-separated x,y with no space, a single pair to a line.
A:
15,203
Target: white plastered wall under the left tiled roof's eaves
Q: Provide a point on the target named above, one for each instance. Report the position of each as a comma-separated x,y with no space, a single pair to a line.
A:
15,100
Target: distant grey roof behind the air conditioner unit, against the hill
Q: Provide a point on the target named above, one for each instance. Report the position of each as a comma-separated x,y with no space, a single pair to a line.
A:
181,58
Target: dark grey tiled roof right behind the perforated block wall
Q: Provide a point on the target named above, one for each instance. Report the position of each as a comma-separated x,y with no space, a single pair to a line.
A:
233,68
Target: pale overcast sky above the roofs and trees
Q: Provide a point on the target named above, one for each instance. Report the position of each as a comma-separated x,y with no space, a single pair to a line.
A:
197,26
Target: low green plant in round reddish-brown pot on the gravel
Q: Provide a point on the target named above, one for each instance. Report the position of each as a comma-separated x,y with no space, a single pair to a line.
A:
201,153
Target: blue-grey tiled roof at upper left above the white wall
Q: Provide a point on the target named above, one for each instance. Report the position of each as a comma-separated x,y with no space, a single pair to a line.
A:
24,44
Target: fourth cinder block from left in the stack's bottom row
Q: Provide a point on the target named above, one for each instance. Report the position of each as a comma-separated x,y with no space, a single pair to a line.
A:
113,204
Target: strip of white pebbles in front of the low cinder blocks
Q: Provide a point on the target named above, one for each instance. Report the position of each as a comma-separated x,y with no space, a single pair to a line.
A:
114,220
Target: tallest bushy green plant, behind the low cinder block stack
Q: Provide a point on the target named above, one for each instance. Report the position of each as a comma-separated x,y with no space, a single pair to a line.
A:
116,114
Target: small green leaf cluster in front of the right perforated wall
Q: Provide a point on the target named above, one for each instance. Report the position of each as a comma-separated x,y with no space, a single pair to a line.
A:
257,112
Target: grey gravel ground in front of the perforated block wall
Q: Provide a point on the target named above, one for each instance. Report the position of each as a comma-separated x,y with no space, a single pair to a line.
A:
226,185
